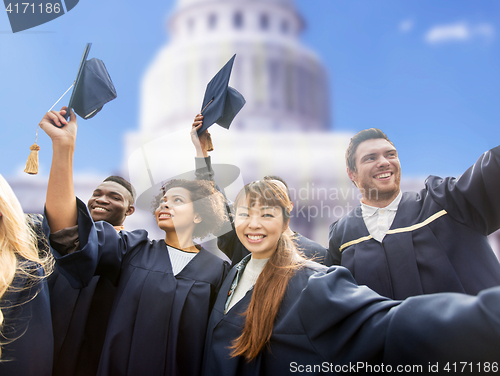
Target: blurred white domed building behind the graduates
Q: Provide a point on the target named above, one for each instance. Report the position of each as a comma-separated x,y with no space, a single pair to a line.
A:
285,127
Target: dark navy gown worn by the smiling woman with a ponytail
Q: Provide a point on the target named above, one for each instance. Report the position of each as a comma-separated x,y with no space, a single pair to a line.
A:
327,320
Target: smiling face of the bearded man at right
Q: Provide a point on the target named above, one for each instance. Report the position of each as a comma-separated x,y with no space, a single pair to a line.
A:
378,171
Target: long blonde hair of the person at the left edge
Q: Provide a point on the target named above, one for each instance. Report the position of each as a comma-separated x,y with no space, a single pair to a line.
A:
18,246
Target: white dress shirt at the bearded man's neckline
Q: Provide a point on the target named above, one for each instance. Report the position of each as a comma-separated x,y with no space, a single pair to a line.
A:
379,220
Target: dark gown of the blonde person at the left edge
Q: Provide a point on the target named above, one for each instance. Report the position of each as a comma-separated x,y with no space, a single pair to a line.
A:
27,324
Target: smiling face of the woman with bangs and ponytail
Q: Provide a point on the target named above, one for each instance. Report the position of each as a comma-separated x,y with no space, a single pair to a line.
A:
259,228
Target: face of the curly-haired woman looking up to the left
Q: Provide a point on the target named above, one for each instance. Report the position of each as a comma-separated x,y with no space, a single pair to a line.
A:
176,211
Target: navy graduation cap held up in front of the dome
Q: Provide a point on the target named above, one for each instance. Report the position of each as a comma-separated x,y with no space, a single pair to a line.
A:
221,102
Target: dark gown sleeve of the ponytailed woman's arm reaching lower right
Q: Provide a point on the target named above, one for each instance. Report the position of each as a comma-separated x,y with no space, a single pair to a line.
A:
357,324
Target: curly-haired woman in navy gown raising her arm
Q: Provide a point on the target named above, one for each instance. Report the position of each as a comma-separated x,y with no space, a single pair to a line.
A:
165,288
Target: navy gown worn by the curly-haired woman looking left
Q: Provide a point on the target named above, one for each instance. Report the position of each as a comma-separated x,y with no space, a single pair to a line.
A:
158,320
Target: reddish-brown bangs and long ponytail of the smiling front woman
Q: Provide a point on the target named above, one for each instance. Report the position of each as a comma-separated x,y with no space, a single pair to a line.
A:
271,285
